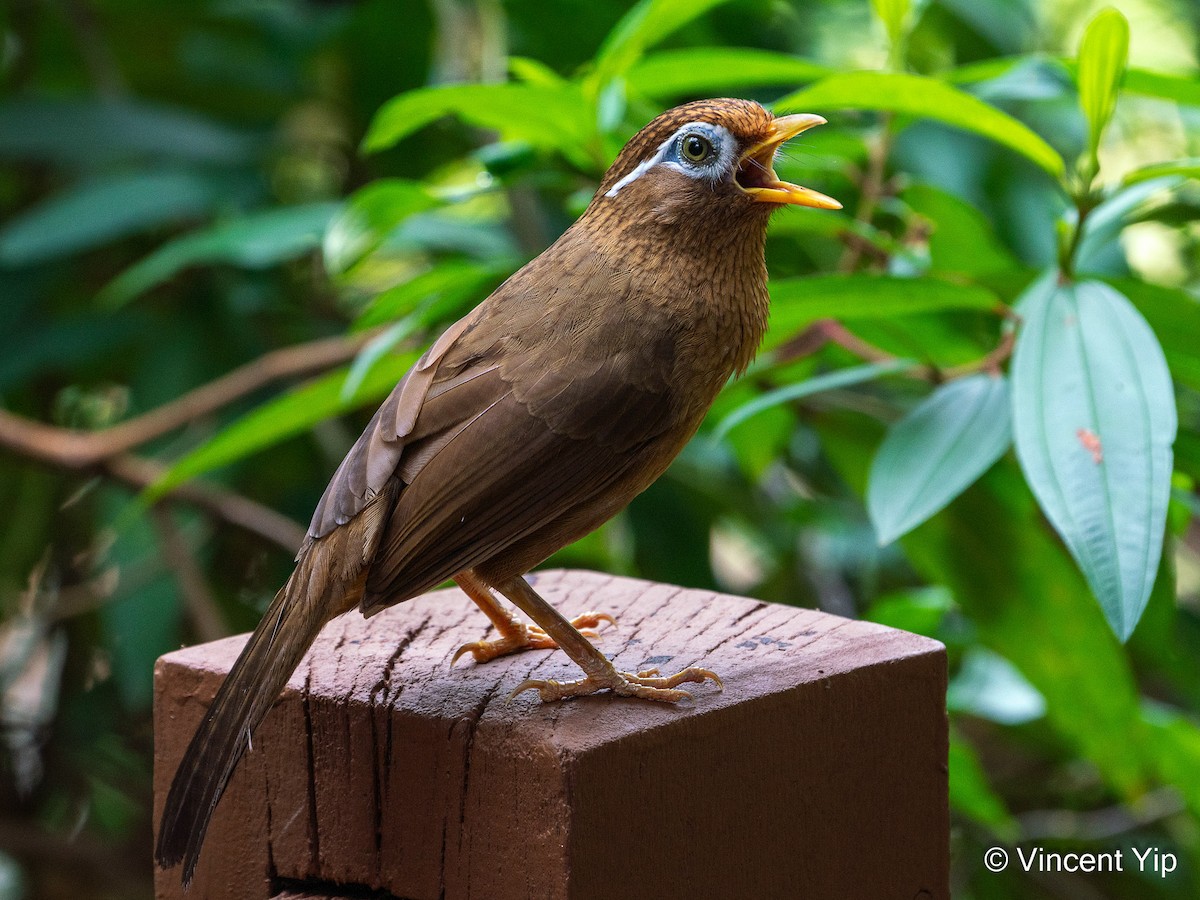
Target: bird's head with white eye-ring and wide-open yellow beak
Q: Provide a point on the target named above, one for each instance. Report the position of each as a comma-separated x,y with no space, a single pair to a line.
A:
709,161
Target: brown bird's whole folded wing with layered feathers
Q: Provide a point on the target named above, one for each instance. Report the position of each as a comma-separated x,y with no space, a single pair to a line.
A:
515,418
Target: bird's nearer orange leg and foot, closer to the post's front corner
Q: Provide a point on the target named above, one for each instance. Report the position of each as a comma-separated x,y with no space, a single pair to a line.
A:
599,673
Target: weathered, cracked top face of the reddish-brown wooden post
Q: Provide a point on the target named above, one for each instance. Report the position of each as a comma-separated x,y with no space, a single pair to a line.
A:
401,657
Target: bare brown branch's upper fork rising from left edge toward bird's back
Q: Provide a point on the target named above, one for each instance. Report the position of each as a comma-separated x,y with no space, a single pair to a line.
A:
81,451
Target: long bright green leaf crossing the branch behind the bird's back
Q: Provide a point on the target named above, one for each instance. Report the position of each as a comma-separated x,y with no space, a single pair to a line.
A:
283,418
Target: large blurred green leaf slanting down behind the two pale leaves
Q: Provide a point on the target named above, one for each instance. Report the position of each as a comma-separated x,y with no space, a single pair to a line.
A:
1028,602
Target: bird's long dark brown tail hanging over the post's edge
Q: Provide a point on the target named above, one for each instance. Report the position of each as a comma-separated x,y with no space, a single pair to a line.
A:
292,623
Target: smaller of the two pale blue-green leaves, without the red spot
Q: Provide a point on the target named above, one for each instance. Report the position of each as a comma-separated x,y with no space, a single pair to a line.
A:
937,452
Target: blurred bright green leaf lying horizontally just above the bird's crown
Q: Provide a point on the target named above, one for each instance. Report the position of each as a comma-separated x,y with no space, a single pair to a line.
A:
712,70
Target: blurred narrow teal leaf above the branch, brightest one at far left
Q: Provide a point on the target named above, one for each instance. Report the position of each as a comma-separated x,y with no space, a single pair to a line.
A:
255,242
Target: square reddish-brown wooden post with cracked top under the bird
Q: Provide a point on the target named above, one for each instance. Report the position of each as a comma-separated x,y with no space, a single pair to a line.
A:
819,772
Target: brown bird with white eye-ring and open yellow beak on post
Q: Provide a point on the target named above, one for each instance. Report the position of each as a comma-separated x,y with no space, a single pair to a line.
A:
532,422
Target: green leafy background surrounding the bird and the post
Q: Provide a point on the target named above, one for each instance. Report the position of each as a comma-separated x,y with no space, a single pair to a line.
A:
187,188
